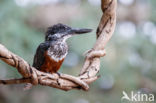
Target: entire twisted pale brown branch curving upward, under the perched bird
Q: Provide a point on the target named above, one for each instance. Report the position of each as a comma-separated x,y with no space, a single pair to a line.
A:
66,82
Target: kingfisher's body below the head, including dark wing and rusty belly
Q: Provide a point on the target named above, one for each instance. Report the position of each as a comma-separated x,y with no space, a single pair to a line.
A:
56,51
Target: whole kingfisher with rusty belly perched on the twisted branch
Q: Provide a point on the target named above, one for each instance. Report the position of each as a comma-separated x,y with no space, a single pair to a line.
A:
51,53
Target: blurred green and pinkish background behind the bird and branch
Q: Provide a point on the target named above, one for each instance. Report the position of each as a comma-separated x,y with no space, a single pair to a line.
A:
130,63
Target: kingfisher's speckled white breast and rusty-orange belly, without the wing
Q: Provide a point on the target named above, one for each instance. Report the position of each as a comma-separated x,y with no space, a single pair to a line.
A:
54,57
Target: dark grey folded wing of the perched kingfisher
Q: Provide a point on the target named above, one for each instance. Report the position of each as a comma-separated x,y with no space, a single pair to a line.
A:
39,56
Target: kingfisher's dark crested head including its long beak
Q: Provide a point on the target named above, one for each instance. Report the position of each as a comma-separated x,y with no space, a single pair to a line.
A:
63,32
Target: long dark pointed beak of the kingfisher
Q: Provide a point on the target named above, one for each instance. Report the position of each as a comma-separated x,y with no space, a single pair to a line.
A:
79,31
